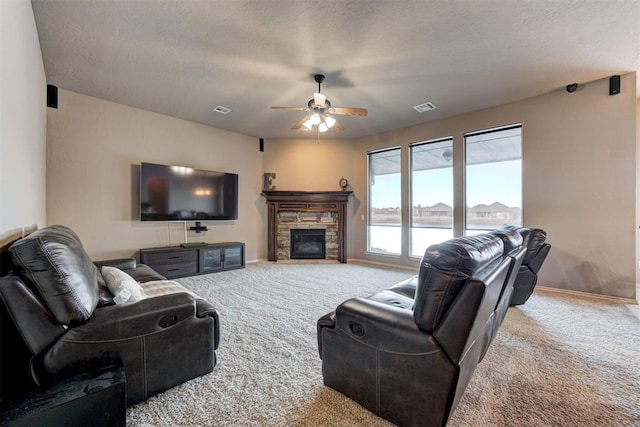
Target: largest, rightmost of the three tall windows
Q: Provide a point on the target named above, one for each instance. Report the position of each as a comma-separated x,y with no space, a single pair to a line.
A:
493,175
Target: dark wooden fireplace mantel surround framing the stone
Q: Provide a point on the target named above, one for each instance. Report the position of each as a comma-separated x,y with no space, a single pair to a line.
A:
306,201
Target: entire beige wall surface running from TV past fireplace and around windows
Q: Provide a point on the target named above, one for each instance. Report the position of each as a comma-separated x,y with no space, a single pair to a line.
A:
579,161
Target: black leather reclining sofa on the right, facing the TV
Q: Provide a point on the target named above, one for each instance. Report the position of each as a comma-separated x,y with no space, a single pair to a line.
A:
407,353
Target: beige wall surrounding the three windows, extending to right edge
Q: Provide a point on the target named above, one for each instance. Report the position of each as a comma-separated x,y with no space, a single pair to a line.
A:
579,181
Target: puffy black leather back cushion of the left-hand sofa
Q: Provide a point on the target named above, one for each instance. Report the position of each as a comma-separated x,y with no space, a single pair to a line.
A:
53,263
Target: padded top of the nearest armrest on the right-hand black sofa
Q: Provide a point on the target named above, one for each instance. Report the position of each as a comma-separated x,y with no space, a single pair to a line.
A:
383,326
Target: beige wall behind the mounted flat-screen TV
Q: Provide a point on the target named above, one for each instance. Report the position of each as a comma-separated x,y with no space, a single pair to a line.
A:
94,152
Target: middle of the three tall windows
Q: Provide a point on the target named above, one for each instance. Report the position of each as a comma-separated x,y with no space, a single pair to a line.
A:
431,194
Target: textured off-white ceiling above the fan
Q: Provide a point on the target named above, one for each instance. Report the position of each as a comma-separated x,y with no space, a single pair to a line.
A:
183,58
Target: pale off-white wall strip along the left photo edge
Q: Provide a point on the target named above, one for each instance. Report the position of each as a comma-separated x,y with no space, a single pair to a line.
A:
23,120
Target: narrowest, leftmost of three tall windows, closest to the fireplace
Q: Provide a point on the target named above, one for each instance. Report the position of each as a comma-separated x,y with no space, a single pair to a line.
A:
384,231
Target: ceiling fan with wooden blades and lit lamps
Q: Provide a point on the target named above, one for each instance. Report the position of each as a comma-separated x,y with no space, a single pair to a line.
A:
321,111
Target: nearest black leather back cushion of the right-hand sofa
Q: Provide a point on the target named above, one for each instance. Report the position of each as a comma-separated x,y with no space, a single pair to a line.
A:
445,269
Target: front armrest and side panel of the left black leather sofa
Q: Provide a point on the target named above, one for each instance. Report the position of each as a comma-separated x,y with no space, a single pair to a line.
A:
160,342
